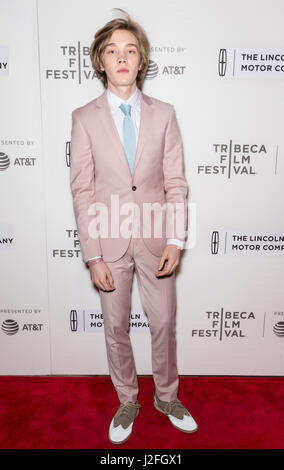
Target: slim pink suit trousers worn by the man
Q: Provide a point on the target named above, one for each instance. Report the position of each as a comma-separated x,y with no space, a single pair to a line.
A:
158,300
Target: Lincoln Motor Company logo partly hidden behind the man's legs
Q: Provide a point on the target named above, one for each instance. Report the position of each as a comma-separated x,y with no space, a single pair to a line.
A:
91,321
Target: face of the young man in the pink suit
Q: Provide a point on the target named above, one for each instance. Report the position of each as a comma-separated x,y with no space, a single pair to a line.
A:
121,52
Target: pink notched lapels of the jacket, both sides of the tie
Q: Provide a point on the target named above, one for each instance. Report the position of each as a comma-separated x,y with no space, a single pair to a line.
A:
112,132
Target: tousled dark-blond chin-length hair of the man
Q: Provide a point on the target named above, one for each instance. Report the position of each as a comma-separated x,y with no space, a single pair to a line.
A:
102,36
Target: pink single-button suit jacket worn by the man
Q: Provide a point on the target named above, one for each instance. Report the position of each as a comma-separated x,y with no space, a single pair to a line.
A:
99,171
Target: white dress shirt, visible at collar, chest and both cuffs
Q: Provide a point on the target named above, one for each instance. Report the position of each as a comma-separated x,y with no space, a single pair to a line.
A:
114,102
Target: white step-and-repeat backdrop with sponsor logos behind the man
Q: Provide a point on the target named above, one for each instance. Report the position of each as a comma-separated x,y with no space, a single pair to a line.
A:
221,64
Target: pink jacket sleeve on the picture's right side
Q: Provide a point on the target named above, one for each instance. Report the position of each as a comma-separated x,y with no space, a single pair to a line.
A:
175,183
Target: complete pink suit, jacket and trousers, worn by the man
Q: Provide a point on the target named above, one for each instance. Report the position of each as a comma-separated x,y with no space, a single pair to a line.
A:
99,172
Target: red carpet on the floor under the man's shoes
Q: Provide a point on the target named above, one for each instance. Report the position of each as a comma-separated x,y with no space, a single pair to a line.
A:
75,412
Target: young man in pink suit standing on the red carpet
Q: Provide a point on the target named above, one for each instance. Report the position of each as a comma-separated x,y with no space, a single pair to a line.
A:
126,151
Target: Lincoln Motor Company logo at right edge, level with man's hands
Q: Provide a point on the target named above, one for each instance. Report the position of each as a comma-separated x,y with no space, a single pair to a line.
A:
246,243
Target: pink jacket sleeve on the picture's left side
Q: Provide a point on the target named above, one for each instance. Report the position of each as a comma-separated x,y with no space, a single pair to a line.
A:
82,182
